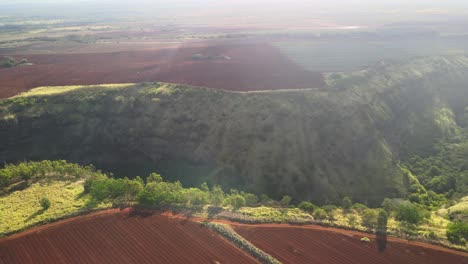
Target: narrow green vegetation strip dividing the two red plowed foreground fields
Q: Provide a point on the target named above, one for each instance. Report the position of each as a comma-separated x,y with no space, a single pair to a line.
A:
231,235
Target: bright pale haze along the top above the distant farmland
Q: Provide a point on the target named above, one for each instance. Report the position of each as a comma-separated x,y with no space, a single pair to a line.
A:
343,12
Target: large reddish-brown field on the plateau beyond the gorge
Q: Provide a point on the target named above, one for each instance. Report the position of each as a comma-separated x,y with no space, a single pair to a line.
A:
253,66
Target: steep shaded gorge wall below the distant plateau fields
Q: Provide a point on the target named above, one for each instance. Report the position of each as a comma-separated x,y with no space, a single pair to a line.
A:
319,145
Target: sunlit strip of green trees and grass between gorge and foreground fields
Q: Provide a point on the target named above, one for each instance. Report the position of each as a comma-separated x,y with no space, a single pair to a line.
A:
34,193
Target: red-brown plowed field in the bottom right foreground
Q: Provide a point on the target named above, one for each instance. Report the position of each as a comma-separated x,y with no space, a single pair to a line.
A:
319,245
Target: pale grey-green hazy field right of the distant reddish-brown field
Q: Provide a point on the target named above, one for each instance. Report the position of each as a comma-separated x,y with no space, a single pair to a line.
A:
331,55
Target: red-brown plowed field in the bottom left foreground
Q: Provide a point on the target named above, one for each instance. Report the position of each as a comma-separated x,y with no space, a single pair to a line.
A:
113,237
